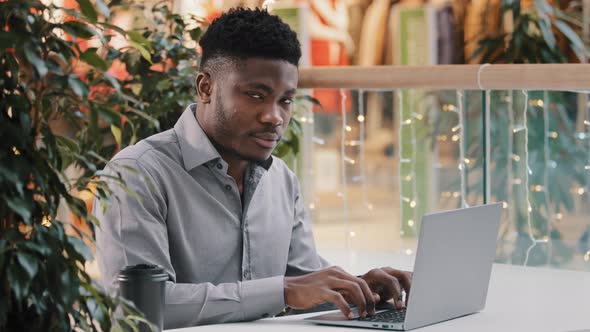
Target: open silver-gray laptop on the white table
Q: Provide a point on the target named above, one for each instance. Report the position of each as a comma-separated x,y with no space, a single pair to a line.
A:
452,272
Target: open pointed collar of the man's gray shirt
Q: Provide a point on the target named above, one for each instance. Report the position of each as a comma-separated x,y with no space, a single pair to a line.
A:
195,146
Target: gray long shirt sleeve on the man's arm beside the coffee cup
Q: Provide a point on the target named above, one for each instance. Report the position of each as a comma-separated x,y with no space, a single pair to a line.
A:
133,230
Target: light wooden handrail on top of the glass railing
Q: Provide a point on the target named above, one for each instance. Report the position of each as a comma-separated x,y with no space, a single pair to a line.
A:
450,77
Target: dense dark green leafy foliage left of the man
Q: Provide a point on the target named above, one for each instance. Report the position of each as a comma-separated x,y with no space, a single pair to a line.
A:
71,100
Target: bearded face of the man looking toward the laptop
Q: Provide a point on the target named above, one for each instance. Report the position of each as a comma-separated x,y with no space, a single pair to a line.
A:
251,107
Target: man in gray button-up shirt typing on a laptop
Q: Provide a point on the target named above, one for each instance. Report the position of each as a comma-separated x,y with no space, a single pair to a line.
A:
222,216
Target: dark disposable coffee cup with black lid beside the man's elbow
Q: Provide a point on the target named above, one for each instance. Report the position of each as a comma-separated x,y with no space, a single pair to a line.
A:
145,286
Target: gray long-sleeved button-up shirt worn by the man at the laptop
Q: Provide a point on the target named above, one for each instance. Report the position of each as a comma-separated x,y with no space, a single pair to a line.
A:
226,255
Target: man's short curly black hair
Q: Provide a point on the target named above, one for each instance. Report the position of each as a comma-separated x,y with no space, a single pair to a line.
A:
243,33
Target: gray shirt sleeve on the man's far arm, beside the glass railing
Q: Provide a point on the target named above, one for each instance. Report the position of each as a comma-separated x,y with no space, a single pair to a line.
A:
303,257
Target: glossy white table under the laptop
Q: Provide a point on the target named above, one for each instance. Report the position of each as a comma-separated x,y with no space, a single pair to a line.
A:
519,299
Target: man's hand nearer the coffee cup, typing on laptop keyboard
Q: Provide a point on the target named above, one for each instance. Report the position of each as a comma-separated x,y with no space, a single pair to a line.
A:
330,285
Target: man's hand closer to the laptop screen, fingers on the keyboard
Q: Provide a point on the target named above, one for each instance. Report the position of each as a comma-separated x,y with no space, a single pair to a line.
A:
389,283
